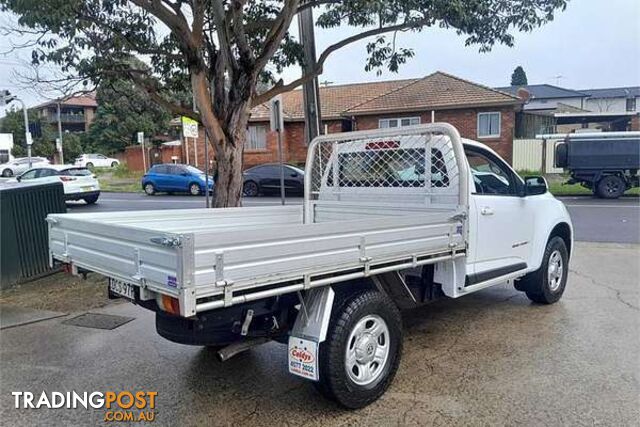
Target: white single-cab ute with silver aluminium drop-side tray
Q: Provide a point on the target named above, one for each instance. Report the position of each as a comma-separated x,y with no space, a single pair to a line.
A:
392,219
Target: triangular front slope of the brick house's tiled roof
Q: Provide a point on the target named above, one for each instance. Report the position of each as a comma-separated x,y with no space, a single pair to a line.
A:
435,91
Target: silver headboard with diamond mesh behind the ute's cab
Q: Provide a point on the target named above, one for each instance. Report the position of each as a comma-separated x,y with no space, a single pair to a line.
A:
420,164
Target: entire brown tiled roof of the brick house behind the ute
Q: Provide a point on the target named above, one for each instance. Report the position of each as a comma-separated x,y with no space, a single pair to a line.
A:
437,90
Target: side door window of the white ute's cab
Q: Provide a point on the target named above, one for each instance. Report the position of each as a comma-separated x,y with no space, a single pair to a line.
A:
490,175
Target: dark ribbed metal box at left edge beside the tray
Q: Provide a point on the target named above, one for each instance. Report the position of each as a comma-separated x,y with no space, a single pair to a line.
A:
24,246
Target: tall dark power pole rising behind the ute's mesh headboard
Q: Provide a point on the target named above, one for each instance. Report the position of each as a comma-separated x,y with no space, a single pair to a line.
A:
310,90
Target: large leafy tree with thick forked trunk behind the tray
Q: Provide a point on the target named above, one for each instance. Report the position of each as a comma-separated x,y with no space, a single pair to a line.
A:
222,49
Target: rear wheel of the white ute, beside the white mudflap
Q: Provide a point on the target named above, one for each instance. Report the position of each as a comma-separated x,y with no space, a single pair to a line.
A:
360,357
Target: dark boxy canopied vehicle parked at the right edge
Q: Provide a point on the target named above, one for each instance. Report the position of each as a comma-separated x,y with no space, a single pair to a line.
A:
607,163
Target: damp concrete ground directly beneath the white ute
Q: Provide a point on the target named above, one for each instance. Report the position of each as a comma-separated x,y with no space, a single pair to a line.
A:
491,358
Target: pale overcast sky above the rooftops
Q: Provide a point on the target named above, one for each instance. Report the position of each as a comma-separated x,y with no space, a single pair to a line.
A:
592,44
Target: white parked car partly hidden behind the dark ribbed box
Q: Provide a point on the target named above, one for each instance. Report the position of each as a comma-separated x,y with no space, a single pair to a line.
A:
79,182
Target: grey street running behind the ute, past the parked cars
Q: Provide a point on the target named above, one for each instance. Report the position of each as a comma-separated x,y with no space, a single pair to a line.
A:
594,220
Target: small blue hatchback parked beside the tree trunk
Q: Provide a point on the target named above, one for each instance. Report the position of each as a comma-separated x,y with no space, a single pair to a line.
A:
175,178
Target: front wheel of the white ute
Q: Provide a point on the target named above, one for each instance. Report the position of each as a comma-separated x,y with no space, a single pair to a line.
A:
546,285
